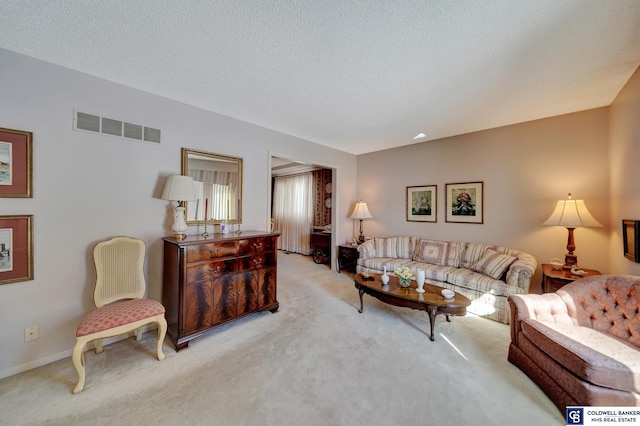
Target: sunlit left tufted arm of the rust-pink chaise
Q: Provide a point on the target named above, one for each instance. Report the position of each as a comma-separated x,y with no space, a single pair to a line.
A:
547,307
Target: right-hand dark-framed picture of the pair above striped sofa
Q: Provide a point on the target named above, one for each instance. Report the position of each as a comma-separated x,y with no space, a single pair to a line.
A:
465,202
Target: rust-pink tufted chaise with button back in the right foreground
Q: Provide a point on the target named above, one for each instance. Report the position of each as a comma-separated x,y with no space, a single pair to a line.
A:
581,344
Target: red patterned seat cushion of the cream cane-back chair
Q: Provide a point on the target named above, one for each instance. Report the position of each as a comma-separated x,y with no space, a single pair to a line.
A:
118,314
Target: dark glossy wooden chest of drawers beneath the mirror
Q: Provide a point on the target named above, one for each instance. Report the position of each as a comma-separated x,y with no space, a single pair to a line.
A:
209,282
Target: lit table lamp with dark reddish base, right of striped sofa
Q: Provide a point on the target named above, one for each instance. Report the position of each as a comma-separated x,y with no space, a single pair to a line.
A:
571,214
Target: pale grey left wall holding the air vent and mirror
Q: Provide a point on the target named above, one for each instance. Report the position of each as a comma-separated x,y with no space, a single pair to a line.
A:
88,187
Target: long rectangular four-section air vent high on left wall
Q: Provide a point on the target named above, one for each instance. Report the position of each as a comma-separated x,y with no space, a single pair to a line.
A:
94,123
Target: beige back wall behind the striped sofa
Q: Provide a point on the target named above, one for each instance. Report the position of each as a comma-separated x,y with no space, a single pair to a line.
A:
525,168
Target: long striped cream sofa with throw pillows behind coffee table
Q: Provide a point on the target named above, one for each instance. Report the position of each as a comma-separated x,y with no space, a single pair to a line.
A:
485,273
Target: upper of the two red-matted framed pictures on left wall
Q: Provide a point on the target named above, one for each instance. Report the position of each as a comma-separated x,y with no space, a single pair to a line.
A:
15,164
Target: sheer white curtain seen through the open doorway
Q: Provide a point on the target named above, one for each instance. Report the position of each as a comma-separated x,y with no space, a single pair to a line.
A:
293,212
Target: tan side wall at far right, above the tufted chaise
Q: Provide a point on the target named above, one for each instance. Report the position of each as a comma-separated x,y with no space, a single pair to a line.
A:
625,176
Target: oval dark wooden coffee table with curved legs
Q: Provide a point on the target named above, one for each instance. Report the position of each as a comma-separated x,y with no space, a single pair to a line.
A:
430,301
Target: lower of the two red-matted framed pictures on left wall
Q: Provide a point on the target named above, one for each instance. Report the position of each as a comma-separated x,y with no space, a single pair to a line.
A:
16,248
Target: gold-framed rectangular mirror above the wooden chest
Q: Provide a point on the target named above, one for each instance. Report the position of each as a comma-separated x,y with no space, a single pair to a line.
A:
218,186
